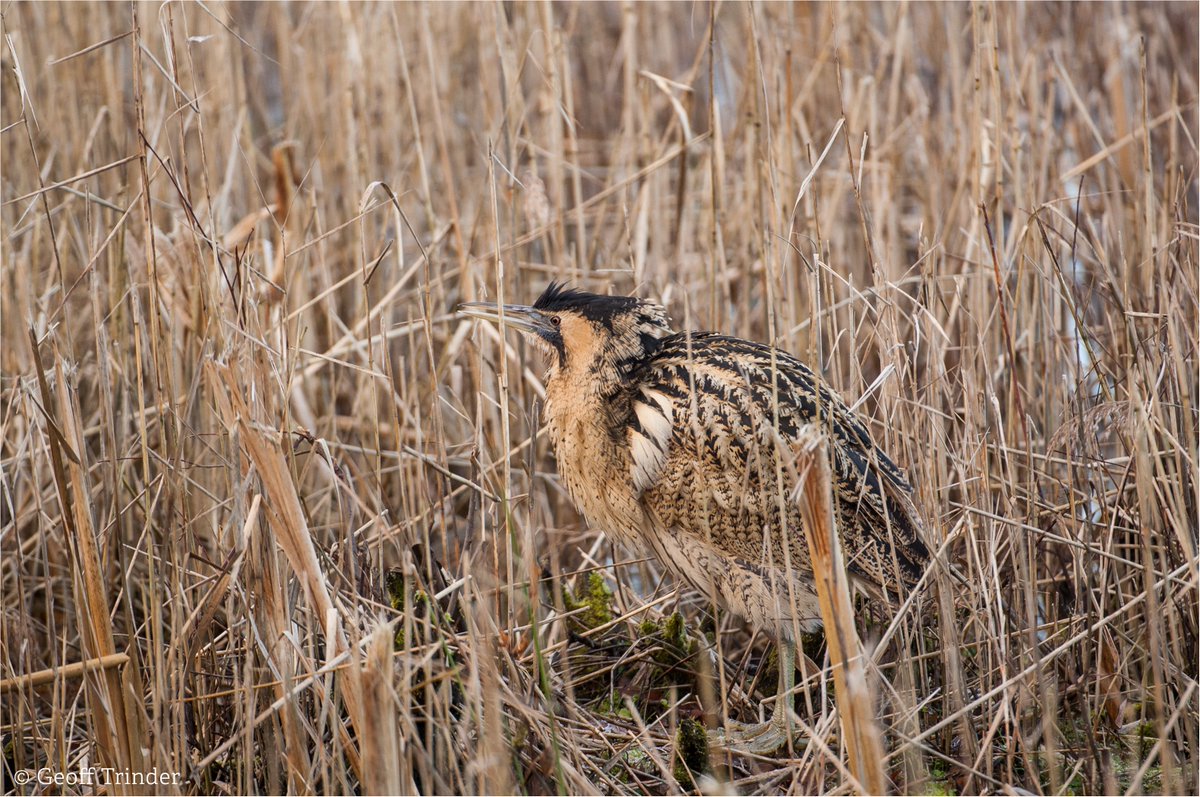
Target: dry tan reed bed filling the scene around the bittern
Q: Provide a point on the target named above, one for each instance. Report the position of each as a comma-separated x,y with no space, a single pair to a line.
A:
274,519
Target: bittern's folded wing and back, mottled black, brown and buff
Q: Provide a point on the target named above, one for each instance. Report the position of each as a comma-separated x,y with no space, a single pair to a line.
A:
710,426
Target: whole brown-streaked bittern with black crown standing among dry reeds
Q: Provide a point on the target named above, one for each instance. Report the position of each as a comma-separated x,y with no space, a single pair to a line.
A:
674,444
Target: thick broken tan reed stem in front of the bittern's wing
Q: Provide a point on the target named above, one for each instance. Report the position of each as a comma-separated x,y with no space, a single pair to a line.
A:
856,704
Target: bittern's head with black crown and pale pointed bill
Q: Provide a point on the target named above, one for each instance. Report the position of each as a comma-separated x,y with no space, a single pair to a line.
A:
580,332
